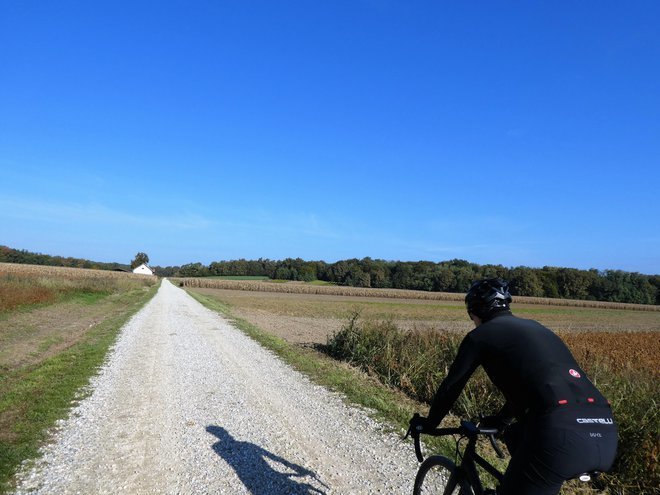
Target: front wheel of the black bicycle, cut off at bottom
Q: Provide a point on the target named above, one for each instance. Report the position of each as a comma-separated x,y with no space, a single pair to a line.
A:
438,475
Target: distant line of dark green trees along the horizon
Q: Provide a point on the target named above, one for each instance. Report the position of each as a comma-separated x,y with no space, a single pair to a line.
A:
446,276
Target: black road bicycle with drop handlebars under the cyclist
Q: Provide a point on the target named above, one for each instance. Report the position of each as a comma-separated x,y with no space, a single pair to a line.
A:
440,475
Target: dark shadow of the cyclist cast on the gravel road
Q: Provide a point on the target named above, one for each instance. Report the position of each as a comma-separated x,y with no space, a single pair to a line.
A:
250,462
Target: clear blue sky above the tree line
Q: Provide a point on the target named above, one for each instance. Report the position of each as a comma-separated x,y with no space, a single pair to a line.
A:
514,133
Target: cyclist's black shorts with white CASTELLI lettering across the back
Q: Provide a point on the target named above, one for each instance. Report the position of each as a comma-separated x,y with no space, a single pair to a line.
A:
546,451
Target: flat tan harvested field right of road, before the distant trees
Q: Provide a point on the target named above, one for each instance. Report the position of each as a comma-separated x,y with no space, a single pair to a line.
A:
310,318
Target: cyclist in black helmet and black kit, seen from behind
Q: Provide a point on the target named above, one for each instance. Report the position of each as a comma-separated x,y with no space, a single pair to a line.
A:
564,426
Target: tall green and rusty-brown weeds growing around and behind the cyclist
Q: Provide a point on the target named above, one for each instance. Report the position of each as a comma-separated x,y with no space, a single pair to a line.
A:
416,362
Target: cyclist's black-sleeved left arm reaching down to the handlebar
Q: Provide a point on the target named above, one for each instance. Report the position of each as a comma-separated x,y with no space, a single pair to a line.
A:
467,360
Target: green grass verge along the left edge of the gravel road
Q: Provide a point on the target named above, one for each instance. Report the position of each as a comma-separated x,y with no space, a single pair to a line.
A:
34,397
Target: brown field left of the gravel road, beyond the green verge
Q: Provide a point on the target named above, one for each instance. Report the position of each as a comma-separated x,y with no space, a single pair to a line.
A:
57,323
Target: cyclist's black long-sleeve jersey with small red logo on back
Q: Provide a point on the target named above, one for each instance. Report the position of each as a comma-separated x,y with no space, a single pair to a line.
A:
526,361
